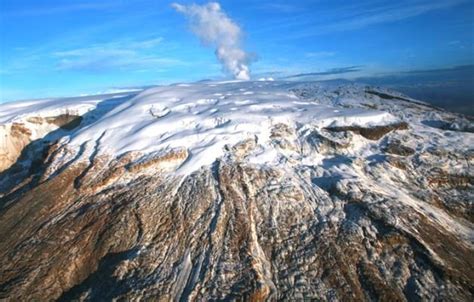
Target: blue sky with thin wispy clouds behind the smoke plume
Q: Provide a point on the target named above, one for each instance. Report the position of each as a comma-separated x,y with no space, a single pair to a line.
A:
62,48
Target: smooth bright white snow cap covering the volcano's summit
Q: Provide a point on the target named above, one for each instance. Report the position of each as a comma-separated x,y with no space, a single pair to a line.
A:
202,118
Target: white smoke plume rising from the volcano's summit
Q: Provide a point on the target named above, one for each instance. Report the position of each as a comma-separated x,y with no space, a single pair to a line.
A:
216,29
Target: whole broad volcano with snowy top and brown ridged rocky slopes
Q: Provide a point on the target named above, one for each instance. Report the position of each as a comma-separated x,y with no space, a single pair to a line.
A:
236,191
